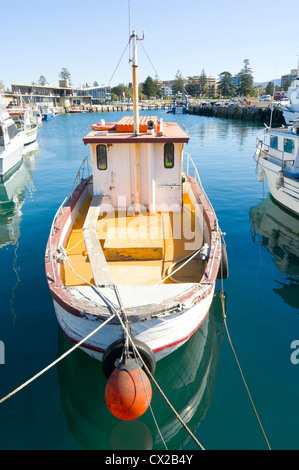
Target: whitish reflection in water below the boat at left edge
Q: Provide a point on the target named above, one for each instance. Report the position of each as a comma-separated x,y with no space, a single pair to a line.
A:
12,197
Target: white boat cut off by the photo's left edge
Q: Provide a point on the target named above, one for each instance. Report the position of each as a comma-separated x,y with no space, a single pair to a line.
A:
11,142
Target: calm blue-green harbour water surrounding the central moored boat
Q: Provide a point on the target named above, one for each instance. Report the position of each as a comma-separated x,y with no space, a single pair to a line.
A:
65,407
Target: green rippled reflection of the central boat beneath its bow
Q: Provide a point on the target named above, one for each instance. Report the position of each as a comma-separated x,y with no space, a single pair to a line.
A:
187,378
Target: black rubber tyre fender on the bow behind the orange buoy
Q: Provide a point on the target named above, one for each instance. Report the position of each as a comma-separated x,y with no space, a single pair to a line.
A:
114,352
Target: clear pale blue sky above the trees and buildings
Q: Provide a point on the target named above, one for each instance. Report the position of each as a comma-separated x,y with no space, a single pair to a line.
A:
89,38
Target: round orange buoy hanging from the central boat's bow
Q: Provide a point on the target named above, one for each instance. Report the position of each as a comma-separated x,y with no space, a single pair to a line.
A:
128,391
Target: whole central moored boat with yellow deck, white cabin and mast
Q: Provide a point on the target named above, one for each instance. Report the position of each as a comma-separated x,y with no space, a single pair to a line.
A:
135,251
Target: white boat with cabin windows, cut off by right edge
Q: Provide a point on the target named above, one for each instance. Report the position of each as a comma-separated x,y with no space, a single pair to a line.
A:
277,159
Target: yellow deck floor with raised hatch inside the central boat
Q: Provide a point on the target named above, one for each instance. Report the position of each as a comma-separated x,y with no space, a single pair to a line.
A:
140,248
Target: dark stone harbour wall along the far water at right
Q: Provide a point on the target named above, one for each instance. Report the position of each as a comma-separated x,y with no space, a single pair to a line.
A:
246,113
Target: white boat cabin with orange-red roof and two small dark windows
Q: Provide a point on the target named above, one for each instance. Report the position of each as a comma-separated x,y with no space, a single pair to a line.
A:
146,171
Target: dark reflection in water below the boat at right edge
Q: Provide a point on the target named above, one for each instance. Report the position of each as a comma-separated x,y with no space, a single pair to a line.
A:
278,231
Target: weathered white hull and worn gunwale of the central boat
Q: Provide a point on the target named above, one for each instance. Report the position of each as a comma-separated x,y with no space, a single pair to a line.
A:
164,325
